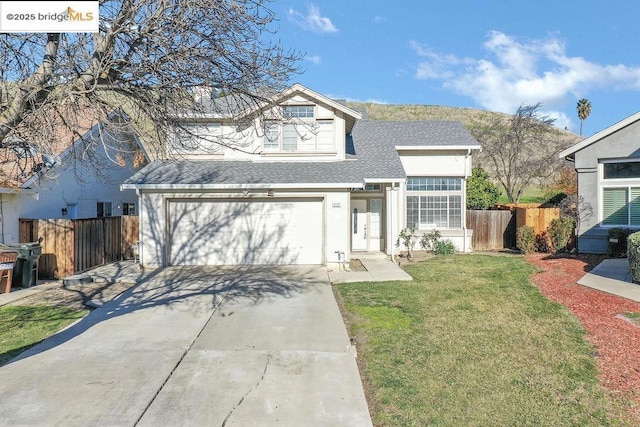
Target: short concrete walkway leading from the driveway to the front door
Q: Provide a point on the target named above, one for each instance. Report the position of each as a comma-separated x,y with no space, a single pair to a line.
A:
379,269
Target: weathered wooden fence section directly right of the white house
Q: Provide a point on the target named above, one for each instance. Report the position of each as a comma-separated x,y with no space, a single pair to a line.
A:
492,229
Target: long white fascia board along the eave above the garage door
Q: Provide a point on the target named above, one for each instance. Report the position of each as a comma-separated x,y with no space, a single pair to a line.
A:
239,186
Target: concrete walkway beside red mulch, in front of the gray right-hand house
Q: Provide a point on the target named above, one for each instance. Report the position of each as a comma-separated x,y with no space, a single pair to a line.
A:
613,276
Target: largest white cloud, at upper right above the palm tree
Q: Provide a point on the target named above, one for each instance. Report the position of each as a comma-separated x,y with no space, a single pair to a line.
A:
515,72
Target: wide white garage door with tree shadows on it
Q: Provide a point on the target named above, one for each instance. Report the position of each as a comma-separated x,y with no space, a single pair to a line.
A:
231,232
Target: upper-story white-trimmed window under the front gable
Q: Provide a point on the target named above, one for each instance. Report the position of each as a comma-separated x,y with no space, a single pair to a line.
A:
299,132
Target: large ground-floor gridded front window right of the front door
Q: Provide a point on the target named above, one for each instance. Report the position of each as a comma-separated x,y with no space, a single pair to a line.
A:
434,203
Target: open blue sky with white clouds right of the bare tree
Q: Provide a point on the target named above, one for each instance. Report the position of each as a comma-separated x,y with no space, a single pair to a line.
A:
491,54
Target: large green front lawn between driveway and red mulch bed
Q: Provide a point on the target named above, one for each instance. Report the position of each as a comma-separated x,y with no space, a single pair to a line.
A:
471,342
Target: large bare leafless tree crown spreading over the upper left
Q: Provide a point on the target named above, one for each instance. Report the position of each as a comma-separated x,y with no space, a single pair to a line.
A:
148,60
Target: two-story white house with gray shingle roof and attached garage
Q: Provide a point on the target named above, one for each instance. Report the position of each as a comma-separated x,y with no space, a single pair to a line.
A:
311,183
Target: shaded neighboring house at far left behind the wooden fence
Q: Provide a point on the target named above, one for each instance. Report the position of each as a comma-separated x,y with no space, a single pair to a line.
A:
63,186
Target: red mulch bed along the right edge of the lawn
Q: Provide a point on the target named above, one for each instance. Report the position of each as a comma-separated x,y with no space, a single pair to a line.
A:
616,340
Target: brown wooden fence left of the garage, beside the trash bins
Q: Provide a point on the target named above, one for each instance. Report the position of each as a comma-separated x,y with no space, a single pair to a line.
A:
71,246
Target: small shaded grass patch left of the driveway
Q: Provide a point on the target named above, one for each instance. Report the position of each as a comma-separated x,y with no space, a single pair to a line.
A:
24,326
